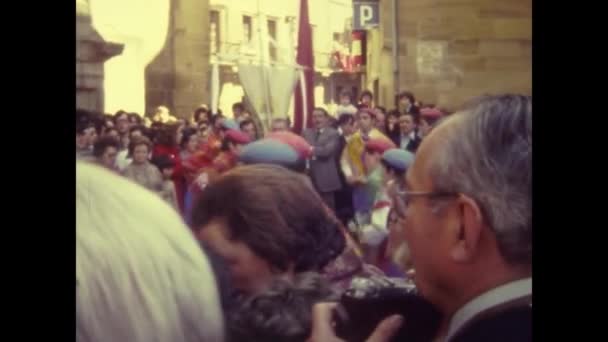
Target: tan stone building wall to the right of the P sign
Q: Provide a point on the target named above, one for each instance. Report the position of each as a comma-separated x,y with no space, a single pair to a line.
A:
452,50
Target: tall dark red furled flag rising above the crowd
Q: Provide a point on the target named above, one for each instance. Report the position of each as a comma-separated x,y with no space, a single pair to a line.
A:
304,104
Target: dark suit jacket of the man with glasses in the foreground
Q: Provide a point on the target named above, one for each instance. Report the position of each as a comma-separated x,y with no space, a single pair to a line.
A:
512,325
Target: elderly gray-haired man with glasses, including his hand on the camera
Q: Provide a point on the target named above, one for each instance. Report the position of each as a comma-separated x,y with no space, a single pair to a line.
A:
466,216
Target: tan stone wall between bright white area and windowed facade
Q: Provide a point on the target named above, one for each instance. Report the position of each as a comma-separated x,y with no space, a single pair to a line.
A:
179,76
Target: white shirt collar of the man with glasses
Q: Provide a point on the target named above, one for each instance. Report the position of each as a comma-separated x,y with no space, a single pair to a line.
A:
499,295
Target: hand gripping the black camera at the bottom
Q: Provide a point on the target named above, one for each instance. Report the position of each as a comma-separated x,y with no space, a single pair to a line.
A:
322,330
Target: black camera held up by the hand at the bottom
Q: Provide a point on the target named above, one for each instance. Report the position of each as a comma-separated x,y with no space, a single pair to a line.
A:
370,300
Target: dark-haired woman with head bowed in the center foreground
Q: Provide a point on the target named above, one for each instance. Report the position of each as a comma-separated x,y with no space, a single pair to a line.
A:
276,225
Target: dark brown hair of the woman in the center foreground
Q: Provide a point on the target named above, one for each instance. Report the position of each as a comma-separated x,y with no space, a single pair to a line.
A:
280,217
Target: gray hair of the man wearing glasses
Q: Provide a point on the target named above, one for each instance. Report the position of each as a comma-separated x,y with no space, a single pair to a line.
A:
487,155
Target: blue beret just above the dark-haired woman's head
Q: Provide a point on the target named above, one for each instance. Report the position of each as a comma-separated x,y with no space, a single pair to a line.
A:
269,151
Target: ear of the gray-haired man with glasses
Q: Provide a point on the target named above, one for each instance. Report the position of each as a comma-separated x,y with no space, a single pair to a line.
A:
468,236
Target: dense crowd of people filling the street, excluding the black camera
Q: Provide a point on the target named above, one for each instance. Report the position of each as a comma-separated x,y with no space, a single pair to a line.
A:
261,232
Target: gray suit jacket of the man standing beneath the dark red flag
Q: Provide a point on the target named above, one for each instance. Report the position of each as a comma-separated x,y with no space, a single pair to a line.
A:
323,170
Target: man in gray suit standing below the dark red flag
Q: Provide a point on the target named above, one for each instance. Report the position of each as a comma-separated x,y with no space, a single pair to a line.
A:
323,170
